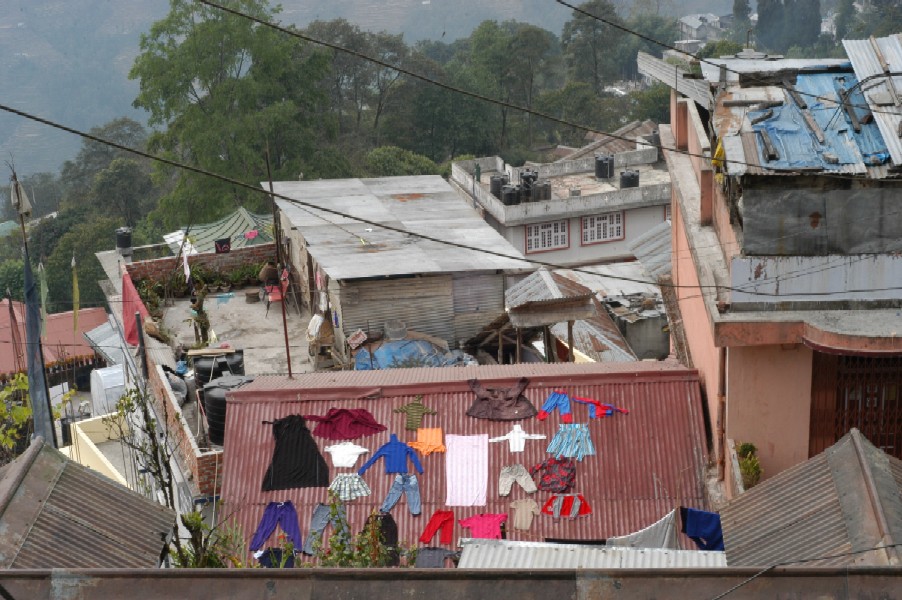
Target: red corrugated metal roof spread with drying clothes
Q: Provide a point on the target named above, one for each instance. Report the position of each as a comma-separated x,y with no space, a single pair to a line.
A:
647,462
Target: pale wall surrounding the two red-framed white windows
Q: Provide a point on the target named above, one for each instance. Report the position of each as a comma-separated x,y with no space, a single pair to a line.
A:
636,222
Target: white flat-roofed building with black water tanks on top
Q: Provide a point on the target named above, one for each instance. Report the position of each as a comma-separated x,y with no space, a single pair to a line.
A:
570,212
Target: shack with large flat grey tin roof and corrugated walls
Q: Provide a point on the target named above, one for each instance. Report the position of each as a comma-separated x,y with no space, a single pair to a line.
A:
364,275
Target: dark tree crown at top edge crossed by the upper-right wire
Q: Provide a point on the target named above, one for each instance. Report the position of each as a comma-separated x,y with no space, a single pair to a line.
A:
587,42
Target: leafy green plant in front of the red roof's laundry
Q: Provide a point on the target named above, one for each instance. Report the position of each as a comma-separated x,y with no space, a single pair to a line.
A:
342,549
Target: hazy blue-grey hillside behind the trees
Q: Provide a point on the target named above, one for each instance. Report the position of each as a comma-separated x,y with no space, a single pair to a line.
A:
68,61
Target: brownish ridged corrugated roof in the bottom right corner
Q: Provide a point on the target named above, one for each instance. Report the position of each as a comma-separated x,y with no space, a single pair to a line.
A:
832,504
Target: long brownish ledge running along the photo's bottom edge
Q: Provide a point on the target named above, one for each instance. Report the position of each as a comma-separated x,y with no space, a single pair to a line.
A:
454,584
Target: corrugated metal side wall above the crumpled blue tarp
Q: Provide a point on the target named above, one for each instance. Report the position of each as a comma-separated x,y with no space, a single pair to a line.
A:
423,303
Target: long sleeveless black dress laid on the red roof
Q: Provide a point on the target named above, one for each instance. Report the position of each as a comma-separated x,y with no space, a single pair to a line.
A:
296,461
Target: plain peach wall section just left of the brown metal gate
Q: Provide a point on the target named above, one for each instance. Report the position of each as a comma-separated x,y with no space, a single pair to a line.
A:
769,402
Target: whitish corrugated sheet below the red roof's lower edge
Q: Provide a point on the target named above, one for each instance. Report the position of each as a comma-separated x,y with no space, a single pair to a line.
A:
504,554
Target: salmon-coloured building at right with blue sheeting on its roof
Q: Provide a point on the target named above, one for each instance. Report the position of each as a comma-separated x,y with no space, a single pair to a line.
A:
786,244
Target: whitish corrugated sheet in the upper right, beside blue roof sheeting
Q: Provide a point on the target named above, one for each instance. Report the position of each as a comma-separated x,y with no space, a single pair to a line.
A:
867,65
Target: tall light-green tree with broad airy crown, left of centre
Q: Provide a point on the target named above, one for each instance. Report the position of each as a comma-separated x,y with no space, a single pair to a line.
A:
223,91
